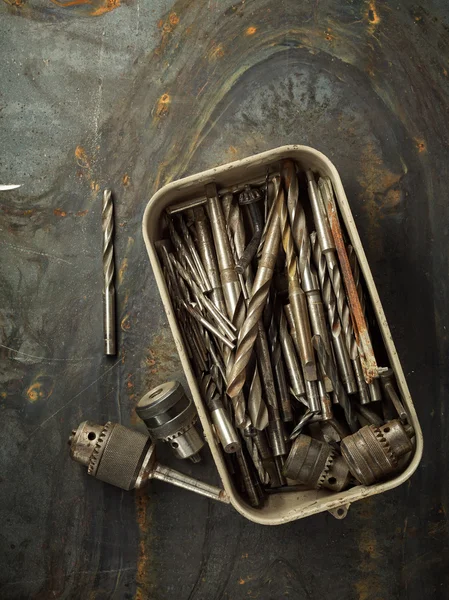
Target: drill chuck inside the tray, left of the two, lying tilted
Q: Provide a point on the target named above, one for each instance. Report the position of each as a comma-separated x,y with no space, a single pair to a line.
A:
316,464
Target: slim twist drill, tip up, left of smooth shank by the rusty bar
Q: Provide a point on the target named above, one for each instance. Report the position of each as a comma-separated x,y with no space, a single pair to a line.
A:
341,352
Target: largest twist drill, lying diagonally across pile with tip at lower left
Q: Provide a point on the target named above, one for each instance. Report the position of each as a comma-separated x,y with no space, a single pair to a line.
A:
261,287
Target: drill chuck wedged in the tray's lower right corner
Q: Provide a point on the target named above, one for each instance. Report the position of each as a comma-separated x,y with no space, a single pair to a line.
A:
373,453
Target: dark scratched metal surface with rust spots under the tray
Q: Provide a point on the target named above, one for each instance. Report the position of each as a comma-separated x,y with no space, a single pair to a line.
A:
135,94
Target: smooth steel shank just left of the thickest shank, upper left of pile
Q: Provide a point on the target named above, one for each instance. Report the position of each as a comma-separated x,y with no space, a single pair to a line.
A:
208,257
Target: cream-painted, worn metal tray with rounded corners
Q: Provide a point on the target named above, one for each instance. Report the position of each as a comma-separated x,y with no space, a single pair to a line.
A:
284,506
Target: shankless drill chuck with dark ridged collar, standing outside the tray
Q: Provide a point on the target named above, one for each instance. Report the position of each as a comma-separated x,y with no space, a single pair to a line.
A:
171,416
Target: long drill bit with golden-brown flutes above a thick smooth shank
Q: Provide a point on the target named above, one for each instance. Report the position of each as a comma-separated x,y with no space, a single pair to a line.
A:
296,295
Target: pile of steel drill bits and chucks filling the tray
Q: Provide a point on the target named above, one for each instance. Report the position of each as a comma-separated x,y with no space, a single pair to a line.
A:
270,302
